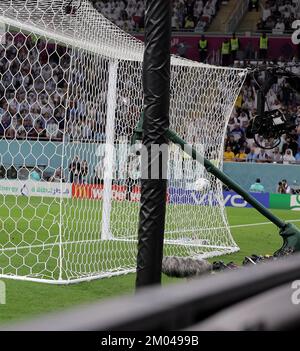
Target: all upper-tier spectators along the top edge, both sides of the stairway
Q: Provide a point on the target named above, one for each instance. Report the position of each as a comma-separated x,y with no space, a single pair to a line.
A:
195,15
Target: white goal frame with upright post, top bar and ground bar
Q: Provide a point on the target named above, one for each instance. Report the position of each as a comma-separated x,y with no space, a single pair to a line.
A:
105,233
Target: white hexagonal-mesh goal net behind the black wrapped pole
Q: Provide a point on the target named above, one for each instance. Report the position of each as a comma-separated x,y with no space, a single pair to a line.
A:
71,96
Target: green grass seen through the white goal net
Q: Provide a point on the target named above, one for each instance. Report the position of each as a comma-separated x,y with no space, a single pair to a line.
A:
30,236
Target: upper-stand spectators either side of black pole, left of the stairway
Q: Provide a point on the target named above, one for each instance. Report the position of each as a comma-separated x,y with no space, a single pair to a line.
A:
188,15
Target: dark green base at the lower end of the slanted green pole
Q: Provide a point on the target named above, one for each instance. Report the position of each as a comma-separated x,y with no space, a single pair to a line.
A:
291,240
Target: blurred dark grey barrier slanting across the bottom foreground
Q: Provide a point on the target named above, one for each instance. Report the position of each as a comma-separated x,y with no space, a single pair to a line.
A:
187,304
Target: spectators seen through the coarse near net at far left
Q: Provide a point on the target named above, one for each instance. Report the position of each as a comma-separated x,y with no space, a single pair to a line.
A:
33,88
